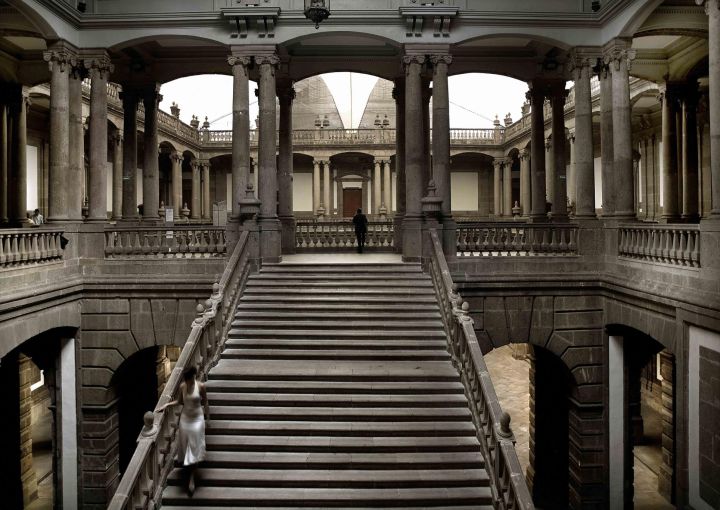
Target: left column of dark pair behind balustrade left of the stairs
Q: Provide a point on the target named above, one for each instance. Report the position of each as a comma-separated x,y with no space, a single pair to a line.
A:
130,99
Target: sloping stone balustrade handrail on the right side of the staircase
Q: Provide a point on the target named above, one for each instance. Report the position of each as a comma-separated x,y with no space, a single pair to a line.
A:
507,482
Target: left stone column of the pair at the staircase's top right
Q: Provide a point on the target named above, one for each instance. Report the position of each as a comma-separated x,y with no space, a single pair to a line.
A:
414,157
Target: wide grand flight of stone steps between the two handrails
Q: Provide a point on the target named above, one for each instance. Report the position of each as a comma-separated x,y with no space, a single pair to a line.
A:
336,390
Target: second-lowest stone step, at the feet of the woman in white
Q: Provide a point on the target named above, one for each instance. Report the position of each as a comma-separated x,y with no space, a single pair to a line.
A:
381,478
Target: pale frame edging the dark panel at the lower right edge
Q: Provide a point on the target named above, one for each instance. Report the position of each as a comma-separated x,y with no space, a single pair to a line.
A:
710,340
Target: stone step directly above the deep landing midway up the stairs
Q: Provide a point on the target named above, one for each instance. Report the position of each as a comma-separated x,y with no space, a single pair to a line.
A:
336,354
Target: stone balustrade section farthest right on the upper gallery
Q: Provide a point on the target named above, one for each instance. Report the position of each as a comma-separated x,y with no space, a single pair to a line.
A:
677,245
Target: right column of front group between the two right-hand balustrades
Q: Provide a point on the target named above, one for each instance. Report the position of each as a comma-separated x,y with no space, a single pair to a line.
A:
619,58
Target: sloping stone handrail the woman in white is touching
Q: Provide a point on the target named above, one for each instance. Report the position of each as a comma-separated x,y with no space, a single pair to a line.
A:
143,481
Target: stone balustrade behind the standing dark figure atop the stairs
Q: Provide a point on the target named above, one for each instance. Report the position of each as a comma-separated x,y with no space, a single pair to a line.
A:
340,235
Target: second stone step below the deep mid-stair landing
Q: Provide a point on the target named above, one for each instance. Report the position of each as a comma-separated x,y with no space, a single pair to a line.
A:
337,400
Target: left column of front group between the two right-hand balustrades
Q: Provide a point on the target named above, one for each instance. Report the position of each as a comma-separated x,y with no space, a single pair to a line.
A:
582,145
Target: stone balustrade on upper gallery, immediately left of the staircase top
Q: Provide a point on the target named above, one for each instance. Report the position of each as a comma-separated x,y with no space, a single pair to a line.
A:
165,242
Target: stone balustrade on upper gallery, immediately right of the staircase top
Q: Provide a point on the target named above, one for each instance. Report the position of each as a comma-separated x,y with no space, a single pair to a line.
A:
516,239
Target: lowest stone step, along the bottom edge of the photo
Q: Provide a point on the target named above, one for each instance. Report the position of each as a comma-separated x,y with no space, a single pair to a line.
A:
328,497
